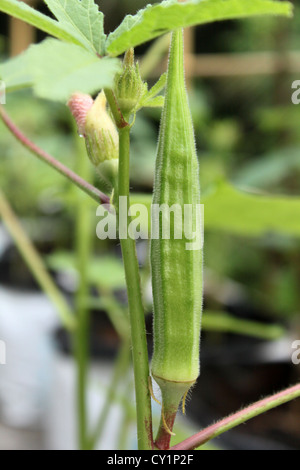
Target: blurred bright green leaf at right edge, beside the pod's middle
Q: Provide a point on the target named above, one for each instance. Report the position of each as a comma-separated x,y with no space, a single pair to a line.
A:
231,210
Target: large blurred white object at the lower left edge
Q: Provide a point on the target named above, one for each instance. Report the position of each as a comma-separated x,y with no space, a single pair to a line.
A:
26,324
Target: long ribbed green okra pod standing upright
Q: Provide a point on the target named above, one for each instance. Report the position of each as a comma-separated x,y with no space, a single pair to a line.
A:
176,270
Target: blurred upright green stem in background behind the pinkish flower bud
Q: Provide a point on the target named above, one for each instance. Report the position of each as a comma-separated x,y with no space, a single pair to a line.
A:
81,335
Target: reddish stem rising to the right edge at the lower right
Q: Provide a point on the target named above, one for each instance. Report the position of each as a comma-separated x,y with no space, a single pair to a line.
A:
238,418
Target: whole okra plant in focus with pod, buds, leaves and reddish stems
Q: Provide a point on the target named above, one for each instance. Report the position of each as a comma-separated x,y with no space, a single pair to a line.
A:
81,66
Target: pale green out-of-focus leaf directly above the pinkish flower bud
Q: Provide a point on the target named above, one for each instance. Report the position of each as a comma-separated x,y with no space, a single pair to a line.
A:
60,69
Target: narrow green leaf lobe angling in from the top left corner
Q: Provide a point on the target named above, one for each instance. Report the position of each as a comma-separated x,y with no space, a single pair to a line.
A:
28,14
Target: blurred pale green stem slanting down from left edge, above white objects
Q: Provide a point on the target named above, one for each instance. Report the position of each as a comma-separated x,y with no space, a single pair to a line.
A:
35,263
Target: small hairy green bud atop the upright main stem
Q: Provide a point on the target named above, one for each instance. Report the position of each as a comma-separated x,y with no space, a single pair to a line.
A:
129,86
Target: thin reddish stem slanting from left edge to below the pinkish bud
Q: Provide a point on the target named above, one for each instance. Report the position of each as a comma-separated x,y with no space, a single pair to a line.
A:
88,188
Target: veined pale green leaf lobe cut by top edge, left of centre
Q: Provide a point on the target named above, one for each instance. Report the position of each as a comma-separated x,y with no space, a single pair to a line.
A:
84,19
